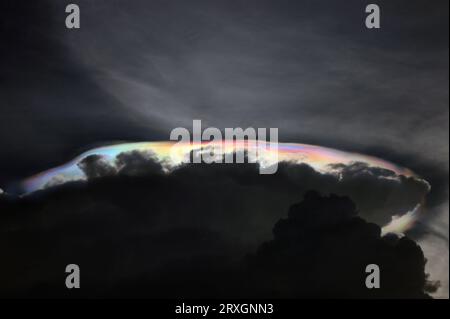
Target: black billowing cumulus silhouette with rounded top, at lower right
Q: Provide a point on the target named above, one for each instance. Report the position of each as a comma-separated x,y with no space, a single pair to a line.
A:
322,249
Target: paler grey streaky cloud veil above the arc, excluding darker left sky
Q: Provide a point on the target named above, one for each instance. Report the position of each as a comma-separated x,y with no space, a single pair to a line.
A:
306,67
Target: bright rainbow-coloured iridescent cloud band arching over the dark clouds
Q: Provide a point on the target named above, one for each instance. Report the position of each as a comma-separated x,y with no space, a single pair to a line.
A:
172,154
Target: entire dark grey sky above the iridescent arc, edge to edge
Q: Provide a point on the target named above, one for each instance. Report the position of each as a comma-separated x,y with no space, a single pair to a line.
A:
137,69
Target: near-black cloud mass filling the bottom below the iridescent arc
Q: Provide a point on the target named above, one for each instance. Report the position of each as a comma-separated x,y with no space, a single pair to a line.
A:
194,233
